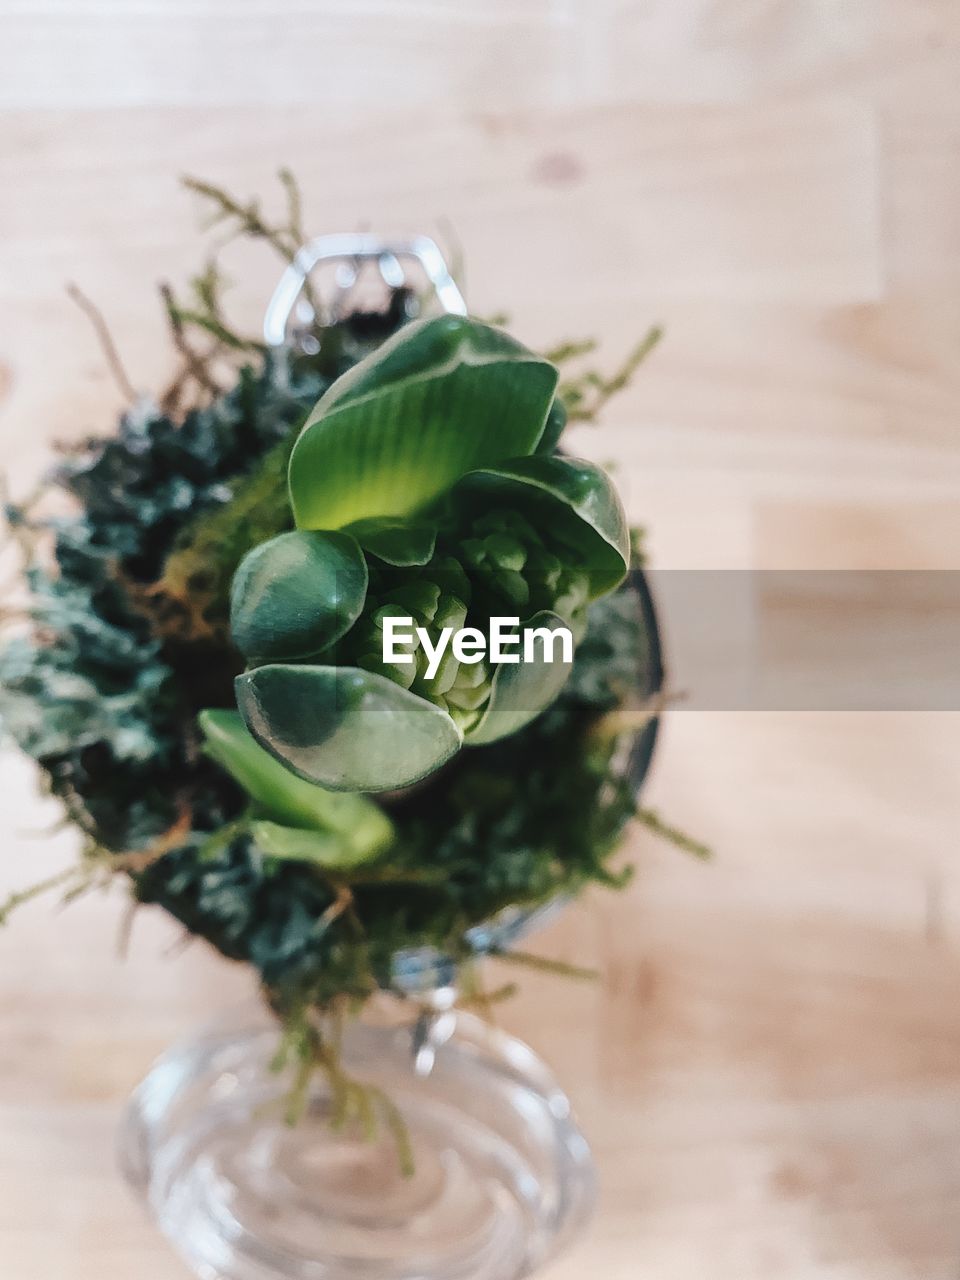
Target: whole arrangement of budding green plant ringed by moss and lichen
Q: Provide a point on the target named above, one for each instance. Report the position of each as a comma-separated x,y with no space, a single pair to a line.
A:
200,673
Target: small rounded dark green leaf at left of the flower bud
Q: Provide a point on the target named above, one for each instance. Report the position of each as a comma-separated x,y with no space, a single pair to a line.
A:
295,595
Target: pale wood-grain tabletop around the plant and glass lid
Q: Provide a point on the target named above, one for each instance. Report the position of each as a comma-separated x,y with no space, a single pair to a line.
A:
770,1069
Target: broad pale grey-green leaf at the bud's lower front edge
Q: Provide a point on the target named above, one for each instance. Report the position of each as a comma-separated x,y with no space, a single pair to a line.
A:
346,729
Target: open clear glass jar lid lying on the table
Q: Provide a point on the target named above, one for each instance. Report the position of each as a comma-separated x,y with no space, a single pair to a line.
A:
502,1174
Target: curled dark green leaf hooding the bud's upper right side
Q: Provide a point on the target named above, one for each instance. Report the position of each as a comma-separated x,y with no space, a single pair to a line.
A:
572,499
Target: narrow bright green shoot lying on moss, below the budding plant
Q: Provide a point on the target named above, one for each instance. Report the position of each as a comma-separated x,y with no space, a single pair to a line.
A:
282,797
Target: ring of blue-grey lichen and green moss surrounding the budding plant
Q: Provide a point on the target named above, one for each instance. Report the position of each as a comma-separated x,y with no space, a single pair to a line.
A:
106,698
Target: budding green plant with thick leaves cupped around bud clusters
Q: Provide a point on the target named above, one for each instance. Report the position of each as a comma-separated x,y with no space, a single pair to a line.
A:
423,487
